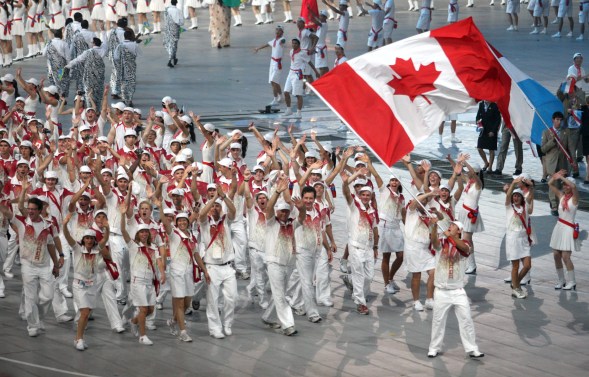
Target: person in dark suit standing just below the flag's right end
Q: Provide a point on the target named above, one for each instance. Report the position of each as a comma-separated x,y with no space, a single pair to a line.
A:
488,120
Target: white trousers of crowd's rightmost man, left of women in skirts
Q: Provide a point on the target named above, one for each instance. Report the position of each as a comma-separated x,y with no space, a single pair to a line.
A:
361,262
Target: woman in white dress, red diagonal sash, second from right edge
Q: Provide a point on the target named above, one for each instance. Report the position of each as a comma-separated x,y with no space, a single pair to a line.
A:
518,237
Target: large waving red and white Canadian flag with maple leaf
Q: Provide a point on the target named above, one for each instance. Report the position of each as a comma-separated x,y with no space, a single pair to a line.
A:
395,97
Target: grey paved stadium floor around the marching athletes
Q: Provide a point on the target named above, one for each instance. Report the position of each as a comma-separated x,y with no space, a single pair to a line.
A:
544,335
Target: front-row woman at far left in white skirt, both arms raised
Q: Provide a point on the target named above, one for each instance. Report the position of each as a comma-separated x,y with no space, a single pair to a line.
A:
87,253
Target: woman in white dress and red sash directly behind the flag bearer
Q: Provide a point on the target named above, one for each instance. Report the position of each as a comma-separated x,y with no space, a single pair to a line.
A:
468,213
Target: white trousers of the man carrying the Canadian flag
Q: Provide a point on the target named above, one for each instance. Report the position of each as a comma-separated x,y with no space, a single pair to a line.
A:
444,300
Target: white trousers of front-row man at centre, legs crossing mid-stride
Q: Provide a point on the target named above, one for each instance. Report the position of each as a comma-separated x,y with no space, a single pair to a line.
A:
279,307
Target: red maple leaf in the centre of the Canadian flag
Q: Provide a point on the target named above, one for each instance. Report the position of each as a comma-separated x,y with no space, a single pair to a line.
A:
411,82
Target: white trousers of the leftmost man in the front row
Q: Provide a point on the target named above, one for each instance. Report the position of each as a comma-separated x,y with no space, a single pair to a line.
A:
38,286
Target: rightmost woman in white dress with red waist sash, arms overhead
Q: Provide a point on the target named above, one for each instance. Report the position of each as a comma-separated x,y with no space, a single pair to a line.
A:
565,235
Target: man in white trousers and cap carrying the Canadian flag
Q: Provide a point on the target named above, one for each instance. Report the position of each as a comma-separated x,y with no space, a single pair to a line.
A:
451,253
